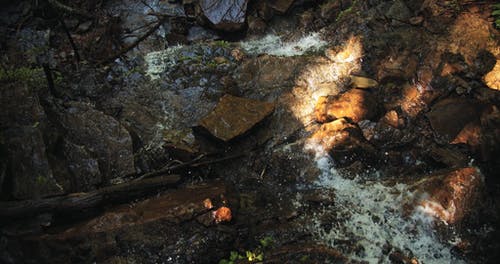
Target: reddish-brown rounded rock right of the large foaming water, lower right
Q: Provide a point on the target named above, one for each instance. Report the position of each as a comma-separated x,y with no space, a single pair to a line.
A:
450,195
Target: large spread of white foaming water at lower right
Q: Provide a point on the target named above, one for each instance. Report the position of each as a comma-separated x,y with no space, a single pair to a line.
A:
371,215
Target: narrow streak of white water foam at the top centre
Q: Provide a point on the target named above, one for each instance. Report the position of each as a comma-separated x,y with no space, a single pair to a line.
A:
274,45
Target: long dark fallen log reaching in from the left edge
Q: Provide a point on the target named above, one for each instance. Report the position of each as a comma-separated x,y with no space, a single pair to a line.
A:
78,201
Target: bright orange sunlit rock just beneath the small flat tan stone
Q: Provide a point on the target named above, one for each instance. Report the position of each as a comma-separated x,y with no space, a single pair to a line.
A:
355,104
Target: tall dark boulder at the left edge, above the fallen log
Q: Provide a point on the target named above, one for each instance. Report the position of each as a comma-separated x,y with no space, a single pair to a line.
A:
23,120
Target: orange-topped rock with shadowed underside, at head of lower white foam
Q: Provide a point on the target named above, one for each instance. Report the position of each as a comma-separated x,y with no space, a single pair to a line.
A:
344,142
